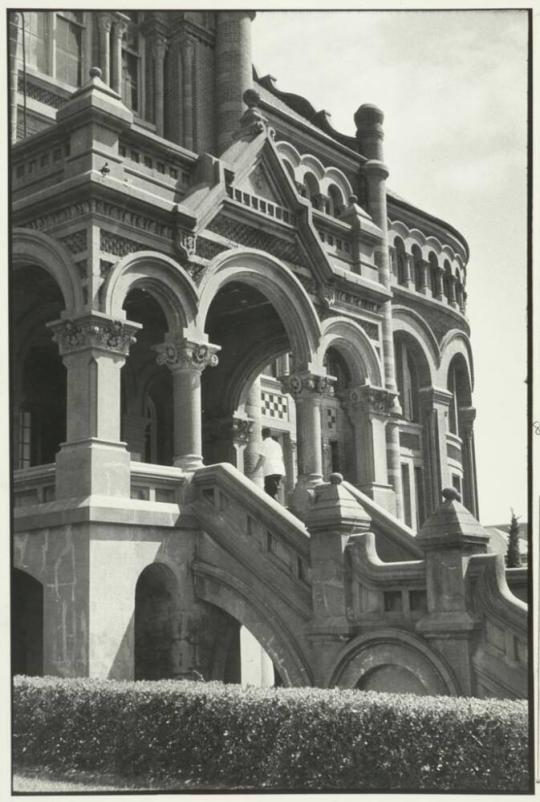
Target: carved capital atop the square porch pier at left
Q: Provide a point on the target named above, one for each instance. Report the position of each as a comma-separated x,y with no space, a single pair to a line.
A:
96,332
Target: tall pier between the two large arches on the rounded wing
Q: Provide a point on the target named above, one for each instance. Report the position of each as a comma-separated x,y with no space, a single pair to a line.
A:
435,404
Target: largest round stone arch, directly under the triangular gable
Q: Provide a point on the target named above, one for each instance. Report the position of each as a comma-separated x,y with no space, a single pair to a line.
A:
276,282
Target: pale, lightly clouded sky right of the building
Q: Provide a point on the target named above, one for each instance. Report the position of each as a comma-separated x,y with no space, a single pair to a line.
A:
453,88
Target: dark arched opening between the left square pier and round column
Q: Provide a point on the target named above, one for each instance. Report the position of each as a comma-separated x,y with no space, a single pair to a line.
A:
147,394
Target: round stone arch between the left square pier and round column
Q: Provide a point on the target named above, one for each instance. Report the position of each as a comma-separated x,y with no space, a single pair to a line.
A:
162,277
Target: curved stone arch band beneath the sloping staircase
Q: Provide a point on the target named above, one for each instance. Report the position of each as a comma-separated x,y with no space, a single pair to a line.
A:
241,602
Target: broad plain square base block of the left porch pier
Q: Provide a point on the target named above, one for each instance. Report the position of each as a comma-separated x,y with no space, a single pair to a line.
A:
92,467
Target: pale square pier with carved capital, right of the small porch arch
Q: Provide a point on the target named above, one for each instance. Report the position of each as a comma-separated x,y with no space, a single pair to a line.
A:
369,410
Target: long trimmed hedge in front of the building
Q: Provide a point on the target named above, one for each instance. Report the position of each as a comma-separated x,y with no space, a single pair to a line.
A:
279,738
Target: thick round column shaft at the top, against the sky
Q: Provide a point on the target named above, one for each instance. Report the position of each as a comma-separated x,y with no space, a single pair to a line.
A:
233,71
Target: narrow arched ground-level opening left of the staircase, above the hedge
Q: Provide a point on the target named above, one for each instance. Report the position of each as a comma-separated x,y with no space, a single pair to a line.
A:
156,624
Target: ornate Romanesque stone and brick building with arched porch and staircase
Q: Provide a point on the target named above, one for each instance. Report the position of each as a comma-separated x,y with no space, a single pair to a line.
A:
196,254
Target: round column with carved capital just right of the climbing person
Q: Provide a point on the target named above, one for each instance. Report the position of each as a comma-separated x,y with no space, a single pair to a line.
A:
307,389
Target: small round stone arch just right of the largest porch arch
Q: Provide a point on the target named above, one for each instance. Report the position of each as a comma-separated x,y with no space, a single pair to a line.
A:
348,337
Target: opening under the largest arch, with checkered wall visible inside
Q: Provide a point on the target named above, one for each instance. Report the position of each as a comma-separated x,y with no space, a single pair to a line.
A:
249,330
